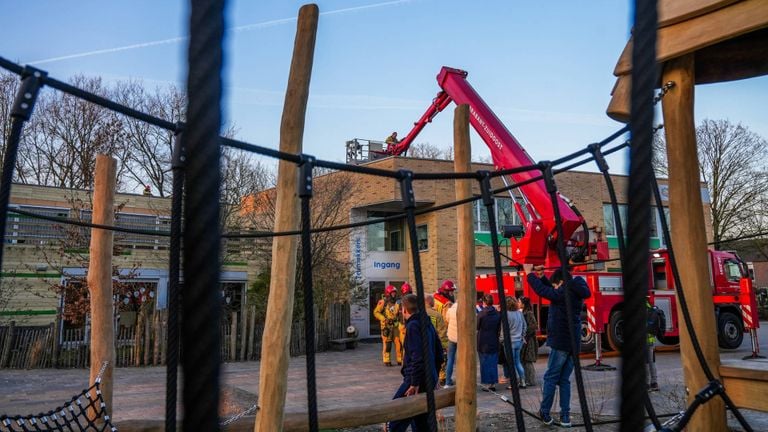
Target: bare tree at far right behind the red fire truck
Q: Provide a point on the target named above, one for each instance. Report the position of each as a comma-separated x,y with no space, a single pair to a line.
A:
732,161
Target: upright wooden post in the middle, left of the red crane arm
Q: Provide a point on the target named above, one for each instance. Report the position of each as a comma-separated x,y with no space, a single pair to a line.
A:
466,361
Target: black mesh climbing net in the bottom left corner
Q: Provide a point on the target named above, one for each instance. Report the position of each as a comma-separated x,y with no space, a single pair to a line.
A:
84,412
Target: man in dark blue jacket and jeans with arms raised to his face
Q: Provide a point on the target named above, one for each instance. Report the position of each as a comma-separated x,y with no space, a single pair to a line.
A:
559,333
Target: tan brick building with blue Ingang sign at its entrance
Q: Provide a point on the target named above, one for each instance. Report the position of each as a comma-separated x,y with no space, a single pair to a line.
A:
380,253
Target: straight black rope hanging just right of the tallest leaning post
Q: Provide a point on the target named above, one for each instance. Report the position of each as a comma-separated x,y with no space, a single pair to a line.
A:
305,193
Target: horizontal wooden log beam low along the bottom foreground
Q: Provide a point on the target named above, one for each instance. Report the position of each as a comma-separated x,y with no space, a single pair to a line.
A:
337,418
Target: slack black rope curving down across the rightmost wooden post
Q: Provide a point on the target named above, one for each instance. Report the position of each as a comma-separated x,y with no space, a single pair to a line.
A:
684,307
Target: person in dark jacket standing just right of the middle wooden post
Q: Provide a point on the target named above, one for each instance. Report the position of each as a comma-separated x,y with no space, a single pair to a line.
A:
488,327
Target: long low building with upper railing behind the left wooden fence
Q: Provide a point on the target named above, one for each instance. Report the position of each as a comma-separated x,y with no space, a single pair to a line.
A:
40,256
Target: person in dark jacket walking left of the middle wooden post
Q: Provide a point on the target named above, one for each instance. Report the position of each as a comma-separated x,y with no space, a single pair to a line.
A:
415,362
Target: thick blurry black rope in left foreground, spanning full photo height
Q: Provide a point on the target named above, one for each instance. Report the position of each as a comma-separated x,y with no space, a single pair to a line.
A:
201,303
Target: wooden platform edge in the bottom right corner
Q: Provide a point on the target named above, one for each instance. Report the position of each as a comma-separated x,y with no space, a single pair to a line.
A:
746,382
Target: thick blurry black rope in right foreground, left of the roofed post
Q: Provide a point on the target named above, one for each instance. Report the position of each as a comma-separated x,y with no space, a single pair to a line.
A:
635,284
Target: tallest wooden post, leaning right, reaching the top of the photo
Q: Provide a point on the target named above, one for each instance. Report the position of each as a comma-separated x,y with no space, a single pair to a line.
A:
273,373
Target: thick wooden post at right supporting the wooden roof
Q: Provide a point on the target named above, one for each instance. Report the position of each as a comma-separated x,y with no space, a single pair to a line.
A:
689,238
